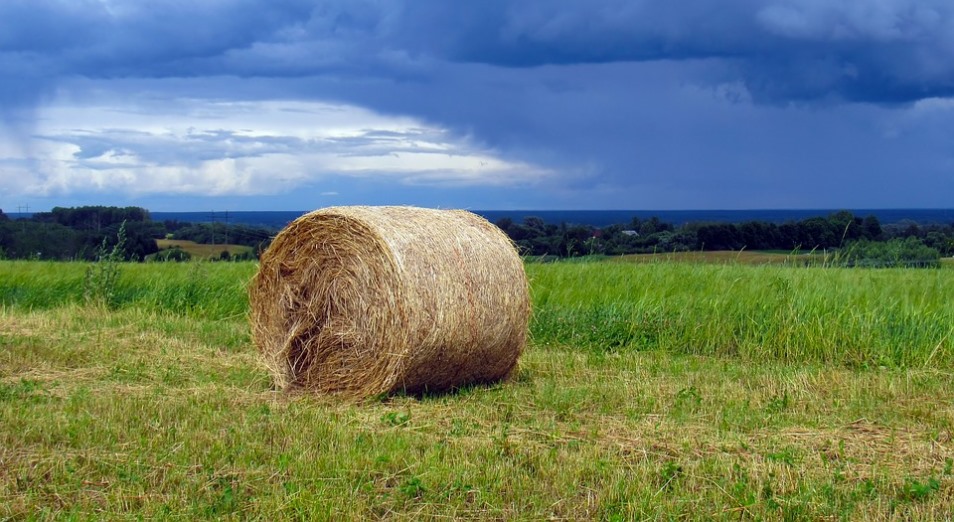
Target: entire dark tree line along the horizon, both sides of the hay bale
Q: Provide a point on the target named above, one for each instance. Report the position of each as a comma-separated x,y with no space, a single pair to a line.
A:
81,233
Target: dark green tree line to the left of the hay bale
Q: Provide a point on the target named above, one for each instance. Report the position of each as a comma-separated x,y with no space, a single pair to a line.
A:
82,233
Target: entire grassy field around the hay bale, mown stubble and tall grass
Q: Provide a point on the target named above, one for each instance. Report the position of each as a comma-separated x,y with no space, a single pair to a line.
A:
649,390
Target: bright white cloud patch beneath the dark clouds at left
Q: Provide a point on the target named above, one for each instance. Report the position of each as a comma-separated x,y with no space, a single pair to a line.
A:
212,147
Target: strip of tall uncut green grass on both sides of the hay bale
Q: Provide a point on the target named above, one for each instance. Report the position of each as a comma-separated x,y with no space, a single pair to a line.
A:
854,317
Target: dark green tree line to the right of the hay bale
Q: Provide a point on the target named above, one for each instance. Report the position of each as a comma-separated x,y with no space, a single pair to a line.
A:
866,240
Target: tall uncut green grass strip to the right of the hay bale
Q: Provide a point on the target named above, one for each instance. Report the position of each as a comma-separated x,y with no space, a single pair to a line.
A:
893,317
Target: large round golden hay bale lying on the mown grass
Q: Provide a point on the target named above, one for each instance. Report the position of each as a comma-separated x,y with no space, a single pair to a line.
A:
361,301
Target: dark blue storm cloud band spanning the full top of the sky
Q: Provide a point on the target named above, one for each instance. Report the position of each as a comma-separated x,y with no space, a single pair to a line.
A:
891,50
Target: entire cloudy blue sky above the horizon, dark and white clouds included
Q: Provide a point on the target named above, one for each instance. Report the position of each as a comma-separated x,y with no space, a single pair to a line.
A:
178,105
